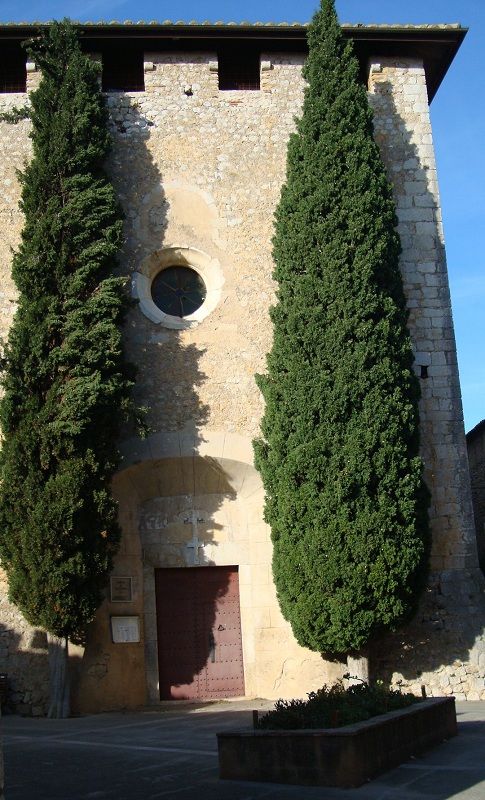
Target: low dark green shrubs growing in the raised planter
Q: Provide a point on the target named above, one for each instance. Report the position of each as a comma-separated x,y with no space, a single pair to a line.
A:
336,706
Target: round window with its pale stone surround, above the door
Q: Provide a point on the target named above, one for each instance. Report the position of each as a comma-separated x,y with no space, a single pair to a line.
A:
177,287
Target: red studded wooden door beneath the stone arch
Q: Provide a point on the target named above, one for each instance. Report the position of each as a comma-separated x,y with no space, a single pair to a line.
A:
199,633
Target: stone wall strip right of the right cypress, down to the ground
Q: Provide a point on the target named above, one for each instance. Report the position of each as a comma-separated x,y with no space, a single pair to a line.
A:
444,647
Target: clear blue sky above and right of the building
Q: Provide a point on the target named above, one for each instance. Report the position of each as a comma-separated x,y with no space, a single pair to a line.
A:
458,116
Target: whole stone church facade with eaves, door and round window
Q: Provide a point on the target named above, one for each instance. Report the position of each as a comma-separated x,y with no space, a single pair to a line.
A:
200,116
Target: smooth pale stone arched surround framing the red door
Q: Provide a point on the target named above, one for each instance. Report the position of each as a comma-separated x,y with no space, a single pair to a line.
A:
193,500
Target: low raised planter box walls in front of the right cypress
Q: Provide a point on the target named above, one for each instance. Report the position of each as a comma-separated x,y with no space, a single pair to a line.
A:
345,757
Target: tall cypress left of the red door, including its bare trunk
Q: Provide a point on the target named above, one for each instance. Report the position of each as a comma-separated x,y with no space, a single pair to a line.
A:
66,382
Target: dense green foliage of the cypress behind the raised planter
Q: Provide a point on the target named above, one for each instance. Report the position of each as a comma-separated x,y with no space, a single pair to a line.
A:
345,496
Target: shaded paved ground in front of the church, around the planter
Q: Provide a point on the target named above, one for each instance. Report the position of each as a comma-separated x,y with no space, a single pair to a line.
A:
173,754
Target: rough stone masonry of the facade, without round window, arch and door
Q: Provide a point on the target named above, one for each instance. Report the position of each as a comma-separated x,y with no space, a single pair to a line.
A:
201,168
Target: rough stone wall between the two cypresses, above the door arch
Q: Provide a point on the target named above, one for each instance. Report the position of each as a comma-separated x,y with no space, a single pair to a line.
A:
204,170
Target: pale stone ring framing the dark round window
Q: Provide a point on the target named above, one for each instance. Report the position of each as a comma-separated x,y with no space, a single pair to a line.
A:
177,255
